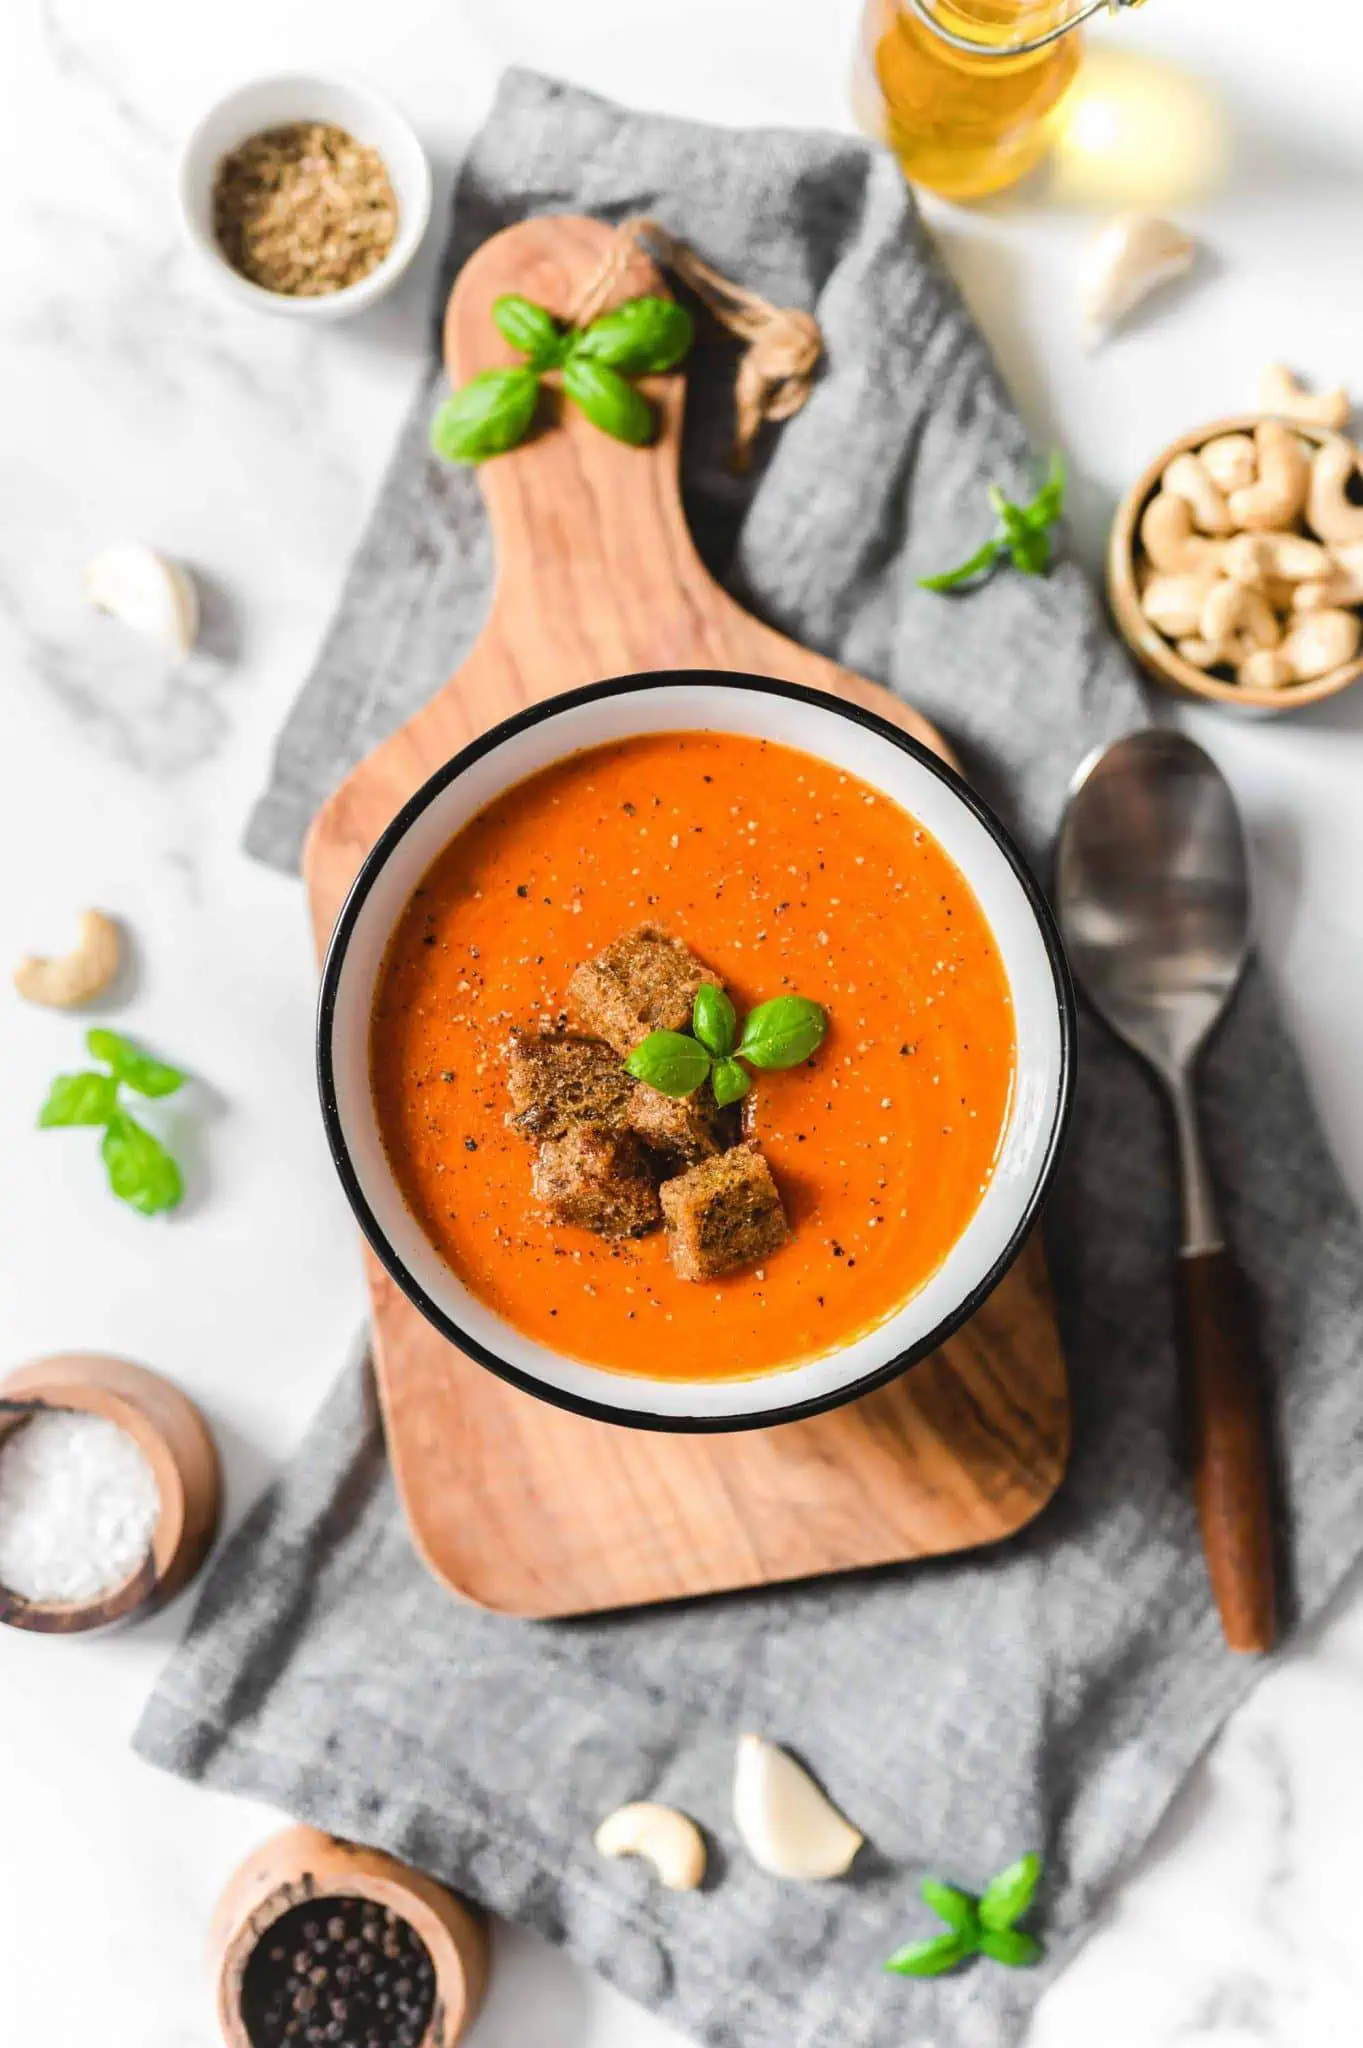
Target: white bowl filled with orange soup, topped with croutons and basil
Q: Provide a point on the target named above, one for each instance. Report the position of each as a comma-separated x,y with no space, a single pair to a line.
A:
785,845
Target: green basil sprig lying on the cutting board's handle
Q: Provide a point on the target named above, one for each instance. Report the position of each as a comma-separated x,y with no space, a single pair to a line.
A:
496,411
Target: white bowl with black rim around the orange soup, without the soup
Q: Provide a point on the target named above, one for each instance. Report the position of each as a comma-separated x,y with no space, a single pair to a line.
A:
852,740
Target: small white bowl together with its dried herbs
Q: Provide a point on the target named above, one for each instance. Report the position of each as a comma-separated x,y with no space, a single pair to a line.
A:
306,194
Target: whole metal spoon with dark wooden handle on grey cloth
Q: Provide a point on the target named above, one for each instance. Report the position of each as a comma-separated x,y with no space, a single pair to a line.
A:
1155,908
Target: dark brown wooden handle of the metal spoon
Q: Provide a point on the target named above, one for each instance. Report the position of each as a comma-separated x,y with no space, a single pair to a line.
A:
1231,1445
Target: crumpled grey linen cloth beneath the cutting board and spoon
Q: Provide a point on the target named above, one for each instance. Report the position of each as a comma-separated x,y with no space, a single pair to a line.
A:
1047,1695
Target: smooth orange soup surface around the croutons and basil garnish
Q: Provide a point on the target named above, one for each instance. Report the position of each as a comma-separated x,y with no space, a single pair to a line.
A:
787,878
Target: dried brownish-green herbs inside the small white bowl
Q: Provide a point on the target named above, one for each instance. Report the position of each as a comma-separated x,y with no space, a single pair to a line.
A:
304,210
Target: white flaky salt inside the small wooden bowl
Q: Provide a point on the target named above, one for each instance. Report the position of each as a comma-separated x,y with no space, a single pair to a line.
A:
79,1506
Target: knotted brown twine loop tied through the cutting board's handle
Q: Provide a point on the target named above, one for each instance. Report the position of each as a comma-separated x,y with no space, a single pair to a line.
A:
783,343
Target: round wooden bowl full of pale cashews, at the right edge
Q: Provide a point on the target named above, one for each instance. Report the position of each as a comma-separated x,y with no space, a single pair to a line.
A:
1235,566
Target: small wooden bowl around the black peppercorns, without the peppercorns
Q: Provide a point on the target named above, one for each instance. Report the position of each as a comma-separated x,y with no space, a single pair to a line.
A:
302,1865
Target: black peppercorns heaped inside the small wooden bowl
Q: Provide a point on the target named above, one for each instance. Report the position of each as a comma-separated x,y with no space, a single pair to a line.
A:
339,1973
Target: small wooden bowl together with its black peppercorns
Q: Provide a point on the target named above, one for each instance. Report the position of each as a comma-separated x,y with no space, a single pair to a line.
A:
326,1945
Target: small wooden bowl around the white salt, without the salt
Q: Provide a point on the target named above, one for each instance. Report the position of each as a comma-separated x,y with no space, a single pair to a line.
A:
183,1457
